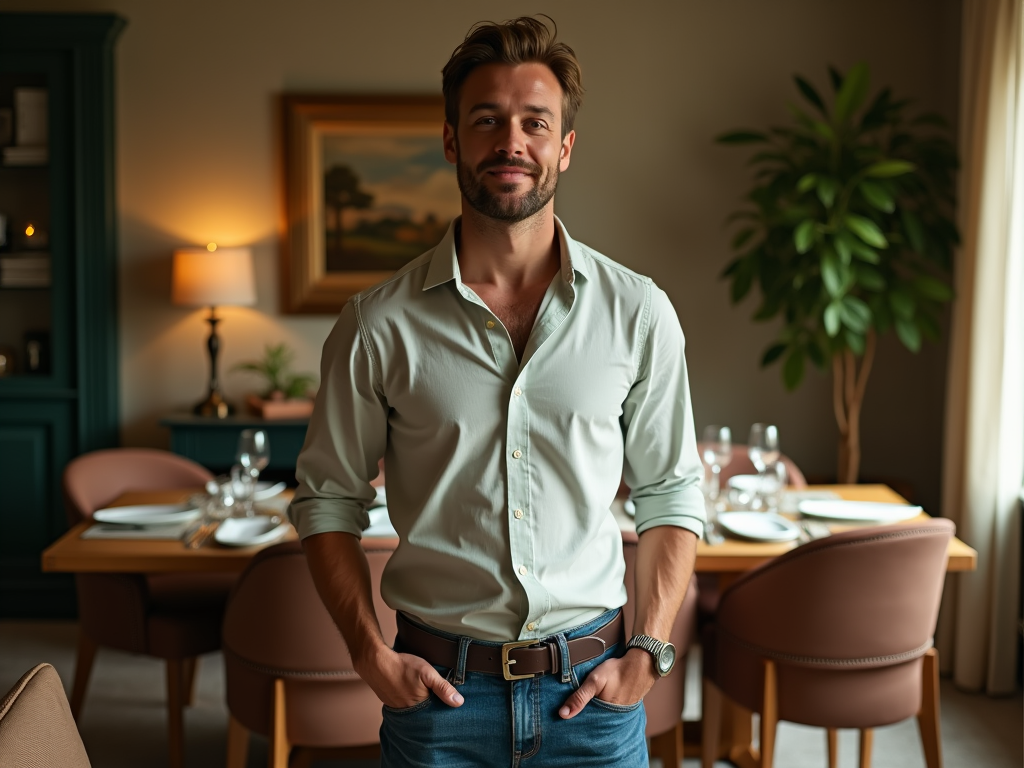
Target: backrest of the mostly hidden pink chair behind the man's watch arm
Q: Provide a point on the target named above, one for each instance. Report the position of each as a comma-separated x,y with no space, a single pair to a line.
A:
664,703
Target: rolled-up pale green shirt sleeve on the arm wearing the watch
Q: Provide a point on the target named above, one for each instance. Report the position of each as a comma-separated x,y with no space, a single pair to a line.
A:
662,465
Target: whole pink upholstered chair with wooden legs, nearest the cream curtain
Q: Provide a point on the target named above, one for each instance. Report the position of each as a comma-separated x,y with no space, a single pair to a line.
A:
837,634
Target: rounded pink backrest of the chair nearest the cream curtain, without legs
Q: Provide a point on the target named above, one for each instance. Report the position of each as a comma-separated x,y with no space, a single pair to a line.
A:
860,600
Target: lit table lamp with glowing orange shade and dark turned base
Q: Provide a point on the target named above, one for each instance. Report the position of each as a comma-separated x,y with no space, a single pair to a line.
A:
214,277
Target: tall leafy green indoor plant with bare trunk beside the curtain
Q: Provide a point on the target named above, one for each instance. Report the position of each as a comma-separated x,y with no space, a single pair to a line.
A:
848,235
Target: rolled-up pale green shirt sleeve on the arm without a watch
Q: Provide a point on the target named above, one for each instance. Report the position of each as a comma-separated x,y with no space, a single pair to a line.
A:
347,437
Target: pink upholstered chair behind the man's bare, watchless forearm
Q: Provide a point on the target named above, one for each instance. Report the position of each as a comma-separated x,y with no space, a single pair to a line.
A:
289,673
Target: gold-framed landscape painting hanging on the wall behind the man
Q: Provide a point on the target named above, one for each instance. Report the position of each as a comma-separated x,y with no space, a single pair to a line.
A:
367,190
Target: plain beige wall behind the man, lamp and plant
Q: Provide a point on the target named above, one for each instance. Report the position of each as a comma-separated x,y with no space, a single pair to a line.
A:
197,149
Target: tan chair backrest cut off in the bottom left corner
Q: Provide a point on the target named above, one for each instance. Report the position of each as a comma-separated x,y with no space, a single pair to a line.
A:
36,727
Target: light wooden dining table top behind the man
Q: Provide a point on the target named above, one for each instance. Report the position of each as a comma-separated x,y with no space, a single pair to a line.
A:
73,554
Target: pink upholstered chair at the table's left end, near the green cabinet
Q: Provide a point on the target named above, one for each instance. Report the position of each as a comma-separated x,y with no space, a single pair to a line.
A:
175,617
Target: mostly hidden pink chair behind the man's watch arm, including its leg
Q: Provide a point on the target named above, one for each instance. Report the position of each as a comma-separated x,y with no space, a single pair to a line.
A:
664,704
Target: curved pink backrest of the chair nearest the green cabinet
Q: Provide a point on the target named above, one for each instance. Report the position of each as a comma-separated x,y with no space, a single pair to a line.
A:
94,481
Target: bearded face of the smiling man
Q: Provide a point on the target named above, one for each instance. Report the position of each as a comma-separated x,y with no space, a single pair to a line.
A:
508,150
